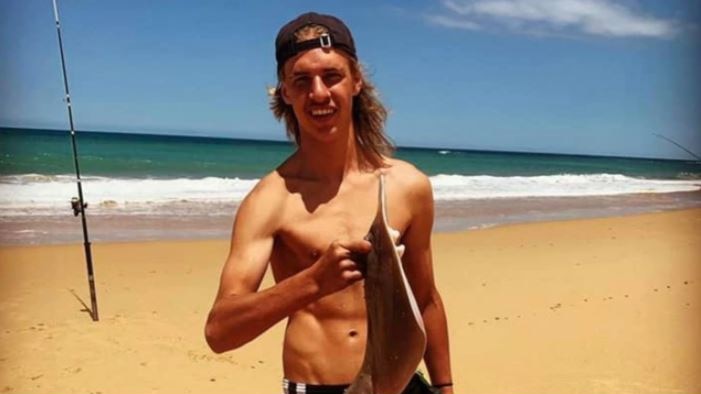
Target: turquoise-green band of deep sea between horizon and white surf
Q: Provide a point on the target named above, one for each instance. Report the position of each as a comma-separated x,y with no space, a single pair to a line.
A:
48,152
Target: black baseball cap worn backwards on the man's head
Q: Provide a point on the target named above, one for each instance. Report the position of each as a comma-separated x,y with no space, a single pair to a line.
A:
338,36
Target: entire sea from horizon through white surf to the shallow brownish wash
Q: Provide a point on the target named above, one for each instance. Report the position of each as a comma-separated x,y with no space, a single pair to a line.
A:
198,183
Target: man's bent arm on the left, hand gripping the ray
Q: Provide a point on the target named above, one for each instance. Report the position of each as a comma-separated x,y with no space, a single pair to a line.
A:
240,312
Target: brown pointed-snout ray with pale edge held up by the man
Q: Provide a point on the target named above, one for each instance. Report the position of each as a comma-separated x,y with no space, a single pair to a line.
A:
396,337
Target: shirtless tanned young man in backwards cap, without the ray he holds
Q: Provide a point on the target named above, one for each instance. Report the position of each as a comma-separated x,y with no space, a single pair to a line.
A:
307,219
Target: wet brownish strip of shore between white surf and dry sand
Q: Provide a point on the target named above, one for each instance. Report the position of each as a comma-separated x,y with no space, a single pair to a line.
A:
450,216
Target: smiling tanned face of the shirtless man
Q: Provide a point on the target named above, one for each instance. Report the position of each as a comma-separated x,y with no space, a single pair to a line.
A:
319,86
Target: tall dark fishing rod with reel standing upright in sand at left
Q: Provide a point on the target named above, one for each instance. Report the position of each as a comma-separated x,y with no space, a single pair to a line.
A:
78,203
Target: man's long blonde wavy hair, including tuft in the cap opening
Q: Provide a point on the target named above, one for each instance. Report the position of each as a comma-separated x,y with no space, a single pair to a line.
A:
369,114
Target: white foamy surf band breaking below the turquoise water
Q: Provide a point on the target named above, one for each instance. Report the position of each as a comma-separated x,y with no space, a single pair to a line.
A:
33,194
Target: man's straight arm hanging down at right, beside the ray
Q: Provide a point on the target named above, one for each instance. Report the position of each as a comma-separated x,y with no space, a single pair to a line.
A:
418,265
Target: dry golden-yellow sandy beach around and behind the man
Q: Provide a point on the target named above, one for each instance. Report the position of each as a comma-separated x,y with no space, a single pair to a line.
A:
608,305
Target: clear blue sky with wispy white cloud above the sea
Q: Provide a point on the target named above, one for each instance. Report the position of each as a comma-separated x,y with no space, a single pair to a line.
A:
564,76
